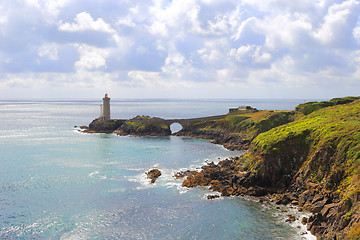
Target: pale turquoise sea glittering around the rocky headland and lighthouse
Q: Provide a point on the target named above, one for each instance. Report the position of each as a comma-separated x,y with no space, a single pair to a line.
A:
59,183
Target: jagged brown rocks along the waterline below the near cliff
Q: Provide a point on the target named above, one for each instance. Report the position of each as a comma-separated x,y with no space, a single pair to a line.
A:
327,220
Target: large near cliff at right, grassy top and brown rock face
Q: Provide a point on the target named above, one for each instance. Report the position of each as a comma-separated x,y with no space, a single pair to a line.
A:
320,155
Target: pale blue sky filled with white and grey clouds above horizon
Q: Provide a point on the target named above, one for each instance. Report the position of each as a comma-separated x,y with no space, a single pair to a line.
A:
179,48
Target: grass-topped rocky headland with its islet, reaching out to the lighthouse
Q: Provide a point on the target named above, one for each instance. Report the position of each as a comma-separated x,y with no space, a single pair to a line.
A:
309,157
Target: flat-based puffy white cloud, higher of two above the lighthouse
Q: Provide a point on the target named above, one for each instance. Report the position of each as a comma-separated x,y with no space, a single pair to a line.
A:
84,22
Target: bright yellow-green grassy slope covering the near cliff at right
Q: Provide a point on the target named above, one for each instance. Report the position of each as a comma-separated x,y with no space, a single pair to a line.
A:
334,130
